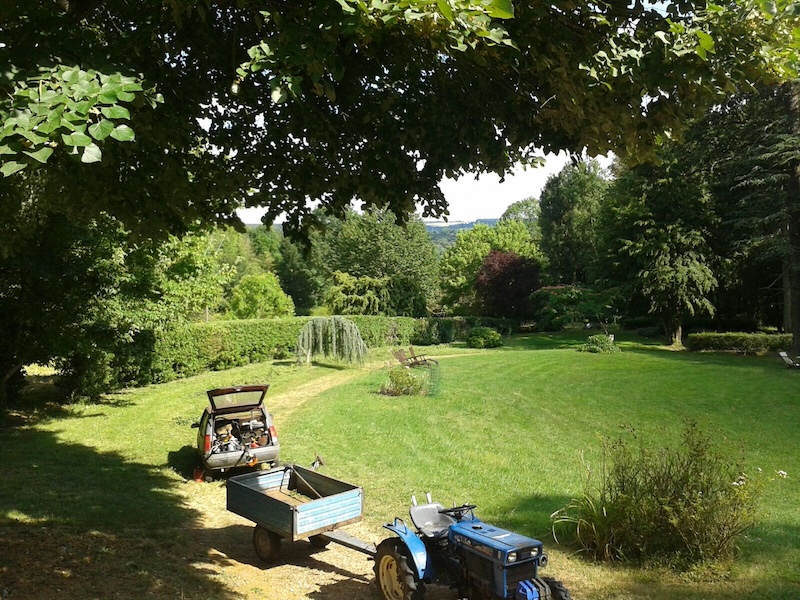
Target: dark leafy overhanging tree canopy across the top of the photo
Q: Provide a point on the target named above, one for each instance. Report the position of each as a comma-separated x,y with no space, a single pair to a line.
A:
168,113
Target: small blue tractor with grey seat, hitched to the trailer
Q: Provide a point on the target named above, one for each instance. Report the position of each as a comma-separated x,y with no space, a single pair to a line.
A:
453,547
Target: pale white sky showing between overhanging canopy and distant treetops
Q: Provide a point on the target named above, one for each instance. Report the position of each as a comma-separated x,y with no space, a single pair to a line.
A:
471,199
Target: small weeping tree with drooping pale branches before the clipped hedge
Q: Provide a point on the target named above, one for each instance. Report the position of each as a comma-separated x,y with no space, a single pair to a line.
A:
332,337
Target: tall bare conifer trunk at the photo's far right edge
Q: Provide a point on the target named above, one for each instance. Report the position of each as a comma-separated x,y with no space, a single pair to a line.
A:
793,220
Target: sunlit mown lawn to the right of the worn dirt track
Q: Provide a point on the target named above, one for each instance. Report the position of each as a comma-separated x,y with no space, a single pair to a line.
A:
510,430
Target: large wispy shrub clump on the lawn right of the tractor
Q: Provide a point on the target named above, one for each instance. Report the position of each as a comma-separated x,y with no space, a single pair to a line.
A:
682,505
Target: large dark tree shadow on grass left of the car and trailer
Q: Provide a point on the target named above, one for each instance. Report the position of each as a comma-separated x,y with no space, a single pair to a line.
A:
77,523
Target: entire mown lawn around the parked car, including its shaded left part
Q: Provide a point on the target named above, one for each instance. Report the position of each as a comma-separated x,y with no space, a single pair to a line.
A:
511,430
